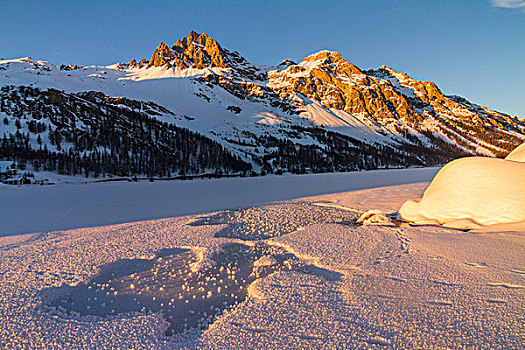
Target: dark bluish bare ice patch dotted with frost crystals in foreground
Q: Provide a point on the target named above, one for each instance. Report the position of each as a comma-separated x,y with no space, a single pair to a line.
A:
167,285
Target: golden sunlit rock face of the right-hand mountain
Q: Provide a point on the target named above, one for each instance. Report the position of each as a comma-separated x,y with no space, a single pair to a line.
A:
384,96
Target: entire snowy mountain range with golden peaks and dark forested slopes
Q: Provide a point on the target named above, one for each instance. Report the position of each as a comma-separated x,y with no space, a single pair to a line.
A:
197,107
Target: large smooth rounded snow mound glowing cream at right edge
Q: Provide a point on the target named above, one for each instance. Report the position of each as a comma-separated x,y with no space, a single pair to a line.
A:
474,193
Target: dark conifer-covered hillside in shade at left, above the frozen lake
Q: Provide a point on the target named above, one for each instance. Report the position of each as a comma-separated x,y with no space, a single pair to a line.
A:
88,134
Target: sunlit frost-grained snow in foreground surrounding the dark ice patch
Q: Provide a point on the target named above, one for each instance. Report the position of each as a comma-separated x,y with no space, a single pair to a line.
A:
415,287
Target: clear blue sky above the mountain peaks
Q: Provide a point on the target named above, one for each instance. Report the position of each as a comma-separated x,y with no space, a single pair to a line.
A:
472,48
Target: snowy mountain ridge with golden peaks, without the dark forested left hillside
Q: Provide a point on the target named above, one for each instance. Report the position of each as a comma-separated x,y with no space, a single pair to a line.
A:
267,115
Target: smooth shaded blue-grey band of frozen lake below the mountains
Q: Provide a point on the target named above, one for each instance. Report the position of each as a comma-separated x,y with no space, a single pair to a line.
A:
28,209
